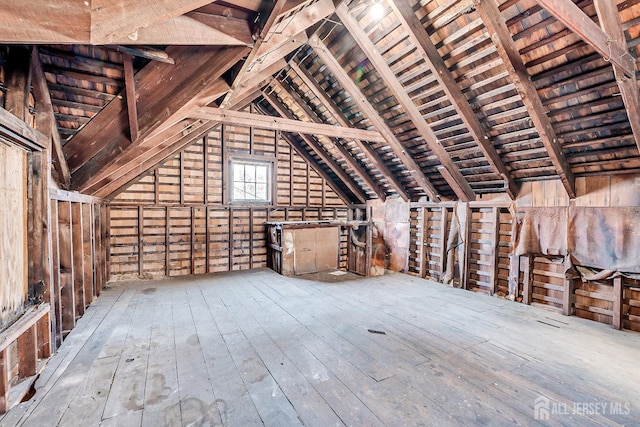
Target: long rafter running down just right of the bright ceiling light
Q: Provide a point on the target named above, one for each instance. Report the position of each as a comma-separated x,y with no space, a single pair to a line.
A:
427,50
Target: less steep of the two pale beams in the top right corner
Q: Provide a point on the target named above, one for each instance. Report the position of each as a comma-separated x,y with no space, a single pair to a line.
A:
581,24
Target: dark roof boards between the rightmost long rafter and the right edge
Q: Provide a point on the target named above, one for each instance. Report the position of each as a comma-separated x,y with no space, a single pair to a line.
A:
577,87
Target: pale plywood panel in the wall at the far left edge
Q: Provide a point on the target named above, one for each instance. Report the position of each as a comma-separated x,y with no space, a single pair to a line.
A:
13,229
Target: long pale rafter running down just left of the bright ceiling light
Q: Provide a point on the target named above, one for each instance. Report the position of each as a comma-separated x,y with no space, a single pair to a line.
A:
451,173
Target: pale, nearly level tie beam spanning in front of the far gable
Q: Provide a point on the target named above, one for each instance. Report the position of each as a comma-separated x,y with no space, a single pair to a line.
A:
259,121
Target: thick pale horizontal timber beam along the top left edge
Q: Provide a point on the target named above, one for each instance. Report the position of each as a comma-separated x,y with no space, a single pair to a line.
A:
130,22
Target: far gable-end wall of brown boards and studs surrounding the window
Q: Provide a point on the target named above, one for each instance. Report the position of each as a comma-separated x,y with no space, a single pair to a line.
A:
205,232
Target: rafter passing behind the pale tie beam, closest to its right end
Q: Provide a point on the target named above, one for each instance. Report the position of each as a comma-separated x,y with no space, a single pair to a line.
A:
371,153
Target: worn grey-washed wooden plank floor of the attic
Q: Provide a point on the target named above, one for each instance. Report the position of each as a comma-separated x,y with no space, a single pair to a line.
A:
254,348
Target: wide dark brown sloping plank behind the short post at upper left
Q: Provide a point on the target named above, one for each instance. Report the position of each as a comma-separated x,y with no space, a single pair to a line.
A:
162,90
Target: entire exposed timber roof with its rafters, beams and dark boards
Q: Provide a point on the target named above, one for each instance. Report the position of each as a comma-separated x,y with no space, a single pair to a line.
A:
459,97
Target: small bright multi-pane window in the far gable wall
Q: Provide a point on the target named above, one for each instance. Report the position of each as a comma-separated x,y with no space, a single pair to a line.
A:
250,182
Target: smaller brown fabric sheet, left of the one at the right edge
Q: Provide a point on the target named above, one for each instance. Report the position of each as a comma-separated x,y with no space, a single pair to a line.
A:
541,231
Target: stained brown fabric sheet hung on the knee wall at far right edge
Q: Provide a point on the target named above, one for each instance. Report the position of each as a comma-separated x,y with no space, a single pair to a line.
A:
605,238
